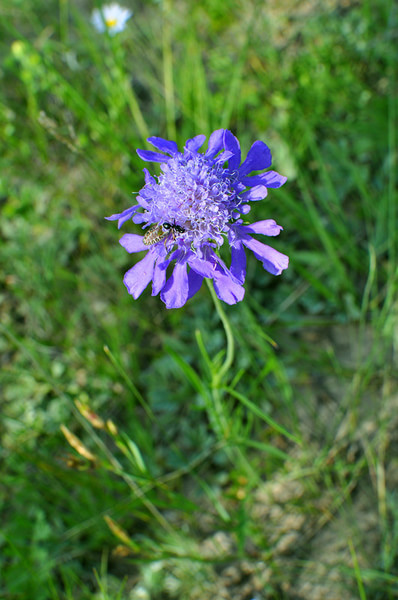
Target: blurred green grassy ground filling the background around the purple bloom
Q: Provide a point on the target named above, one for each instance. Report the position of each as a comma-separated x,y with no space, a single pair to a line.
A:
237,452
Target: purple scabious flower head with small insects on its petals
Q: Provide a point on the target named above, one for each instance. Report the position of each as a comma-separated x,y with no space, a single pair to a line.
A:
191,209
